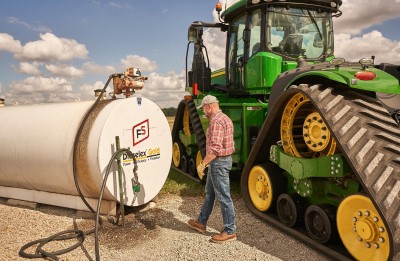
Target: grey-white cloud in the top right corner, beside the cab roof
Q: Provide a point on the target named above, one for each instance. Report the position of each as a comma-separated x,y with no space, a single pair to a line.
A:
362,14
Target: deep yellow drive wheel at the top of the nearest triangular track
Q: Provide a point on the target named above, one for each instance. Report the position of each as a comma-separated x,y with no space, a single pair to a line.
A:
303,132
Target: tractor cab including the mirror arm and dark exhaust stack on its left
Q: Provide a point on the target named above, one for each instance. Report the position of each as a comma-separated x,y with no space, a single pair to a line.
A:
264,39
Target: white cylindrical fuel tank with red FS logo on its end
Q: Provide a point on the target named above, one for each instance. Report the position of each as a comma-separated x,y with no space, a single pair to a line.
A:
37,146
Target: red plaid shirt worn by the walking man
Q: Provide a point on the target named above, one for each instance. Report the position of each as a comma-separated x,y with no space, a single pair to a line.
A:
220,135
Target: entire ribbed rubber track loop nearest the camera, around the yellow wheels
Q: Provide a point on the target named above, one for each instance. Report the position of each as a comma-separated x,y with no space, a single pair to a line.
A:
368,137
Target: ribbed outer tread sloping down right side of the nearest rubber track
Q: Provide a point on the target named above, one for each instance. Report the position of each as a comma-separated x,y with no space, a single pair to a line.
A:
370,140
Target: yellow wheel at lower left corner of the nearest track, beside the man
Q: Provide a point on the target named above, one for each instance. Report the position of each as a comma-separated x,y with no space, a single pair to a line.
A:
260,188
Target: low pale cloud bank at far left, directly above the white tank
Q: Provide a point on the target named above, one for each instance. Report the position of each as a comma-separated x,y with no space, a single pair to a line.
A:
40,90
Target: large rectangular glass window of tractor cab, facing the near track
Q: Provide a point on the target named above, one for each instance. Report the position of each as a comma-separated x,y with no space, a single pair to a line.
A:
297,32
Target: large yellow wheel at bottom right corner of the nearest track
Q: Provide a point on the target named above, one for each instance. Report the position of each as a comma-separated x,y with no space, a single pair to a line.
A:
362,230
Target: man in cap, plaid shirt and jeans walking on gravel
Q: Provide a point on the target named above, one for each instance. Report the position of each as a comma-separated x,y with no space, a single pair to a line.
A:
219,147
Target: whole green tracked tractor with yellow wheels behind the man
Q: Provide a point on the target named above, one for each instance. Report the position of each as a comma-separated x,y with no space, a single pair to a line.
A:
317,138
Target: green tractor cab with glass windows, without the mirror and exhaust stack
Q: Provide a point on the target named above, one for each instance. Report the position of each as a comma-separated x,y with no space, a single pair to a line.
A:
267,39
